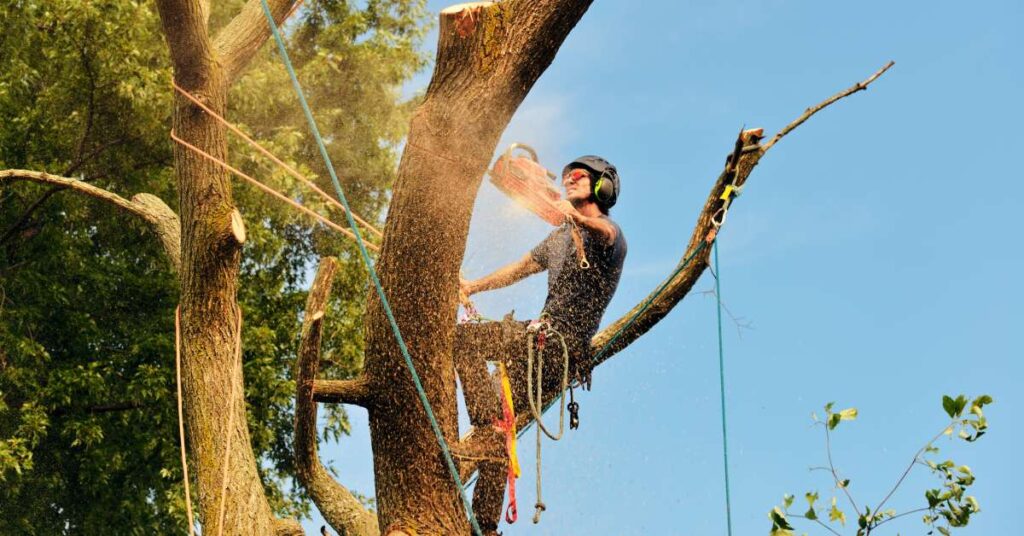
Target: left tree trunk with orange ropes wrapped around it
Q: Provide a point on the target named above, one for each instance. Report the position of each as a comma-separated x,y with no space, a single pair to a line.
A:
211,242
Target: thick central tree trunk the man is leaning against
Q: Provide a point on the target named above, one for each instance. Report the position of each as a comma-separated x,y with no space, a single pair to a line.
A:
490,56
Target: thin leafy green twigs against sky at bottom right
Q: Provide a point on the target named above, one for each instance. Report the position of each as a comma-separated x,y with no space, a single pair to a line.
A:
948,507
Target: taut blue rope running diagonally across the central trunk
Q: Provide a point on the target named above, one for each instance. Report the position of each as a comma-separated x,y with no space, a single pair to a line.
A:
372,270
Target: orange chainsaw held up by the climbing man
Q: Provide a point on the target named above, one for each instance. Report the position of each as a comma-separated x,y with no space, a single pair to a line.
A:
522,178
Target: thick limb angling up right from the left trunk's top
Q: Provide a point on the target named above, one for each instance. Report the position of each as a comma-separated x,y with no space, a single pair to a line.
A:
241,39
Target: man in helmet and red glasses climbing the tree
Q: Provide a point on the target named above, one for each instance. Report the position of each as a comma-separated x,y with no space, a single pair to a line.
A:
584,260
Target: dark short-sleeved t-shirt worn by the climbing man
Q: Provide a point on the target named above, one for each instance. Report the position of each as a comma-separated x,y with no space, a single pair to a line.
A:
578,298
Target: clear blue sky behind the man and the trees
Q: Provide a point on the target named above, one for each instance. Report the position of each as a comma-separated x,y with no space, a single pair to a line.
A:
874,254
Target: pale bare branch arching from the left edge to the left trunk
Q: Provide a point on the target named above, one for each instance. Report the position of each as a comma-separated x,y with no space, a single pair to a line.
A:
162,220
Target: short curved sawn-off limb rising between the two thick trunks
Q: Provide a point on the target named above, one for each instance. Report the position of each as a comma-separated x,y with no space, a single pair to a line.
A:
346,514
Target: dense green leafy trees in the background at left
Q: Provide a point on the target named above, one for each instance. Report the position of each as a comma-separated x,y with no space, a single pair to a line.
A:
89,425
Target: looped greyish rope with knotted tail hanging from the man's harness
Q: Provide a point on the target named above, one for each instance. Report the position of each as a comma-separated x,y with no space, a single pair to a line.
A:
541,331
